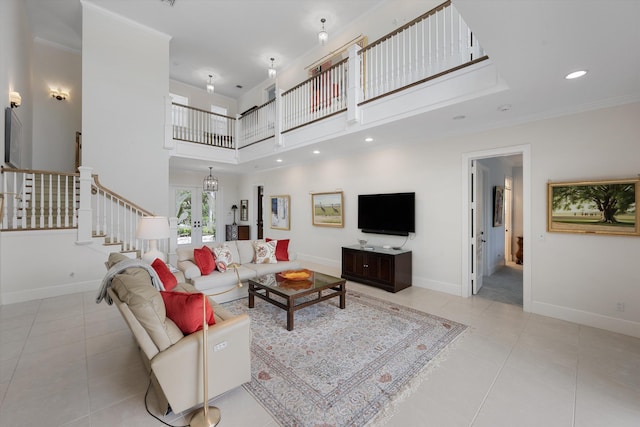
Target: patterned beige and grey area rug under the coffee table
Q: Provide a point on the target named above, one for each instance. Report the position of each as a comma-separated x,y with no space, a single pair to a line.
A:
340,367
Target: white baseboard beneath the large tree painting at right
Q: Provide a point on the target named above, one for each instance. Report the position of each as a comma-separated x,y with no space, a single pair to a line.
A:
621,326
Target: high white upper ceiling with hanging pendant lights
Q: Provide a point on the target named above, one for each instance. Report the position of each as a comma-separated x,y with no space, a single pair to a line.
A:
230,39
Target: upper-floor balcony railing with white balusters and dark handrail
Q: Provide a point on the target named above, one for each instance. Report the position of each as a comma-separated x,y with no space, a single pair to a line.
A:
435,43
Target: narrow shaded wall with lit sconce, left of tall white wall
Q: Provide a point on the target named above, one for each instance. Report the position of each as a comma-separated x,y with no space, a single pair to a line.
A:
55,123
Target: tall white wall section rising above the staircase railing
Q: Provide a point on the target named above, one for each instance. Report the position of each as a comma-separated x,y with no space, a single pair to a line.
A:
125,83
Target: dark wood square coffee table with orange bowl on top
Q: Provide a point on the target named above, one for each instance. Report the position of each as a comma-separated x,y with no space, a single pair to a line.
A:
287,293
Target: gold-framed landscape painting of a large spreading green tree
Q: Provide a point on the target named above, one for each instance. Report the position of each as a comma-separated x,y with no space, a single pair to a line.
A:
594,207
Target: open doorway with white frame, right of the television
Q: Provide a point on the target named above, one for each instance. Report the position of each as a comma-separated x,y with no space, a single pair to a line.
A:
489,269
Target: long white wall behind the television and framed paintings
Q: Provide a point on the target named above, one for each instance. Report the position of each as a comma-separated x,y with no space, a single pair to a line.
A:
575,277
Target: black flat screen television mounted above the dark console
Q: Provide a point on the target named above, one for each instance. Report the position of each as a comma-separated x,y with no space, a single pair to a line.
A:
392,213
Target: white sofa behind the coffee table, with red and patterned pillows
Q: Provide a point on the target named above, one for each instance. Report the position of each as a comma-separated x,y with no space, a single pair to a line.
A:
223,284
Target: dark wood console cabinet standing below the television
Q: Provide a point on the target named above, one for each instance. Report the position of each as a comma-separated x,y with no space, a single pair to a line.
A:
388,269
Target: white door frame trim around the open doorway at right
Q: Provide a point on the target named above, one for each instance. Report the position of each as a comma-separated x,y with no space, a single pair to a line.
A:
525,151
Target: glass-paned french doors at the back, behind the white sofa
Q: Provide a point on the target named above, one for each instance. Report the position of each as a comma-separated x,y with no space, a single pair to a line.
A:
196,213
